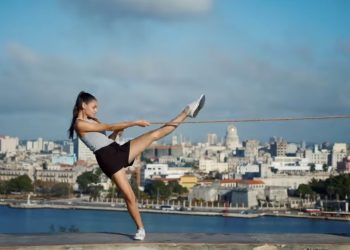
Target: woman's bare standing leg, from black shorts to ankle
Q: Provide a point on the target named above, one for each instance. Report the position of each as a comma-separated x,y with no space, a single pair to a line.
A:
121,180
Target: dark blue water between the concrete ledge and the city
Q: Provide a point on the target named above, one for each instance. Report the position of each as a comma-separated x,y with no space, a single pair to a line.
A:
16,220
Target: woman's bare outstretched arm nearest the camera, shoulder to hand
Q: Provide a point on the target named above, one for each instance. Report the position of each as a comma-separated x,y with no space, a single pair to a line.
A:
83,126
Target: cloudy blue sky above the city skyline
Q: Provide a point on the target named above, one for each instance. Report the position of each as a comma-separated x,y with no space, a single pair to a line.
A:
148,59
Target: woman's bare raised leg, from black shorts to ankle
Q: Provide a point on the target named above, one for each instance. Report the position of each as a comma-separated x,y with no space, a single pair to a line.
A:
140,143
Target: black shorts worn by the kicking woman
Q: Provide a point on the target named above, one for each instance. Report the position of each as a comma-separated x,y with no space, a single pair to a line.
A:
113,157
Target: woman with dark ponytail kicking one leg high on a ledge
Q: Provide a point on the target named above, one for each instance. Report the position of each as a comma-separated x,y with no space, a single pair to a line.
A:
112,157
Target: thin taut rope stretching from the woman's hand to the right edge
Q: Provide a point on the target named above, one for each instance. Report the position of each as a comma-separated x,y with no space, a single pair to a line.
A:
279,119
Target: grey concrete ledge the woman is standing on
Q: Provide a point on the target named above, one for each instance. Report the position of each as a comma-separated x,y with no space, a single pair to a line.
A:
174,241
